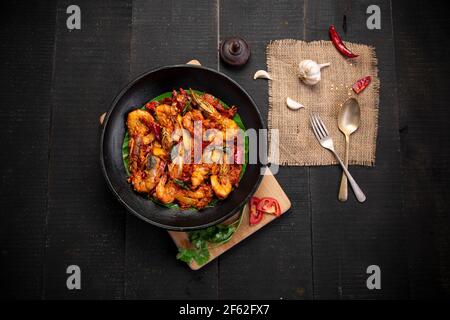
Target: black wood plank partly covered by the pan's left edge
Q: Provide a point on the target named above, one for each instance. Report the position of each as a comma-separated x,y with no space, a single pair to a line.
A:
85,222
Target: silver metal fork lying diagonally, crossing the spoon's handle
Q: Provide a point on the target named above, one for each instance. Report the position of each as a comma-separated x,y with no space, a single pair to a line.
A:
321,133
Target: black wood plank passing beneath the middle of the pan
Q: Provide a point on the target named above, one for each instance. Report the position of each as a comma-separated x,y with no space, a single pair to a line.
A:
164,33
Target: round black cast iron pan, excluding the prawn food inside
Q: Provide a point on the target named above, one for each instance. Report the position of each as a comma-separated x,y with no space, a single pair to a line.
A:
134,95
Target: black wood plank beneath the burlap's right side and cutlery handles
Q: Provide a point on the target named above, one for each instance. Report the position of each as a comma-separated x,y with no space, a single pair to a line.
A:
348,237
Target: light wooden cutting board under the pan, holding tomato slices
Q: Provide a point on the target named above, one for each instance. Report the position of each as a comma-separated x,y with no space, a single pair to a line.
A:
269,187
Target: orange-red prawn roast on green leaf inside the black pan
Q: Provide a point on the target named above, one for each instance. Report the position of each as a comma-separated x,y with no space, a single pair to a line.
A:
184,149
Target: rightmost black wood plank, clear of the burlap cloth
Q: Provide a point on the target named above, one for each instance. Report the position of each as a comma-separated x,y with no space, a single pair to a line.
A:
422,51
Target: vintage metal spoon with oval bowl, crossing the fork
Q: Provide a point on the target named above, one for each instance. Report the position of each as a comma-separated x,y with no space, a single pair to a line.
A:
348,122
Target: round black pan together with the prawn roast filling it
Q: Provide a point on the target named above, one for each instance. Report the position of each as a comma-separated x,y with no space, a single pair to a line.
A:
167,156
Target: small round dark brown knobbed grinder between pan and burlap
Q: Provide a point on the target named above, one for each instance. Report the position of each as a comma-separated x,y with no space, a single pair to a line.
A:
234,51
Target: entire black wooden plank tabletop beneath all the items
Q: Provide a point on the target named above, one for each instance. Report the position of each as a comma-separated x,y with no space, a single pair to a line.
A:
57,210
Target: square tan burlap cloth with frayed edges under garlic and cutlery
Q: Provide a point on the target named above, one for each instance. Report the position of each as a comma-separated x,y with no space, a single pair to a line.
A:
298,145
